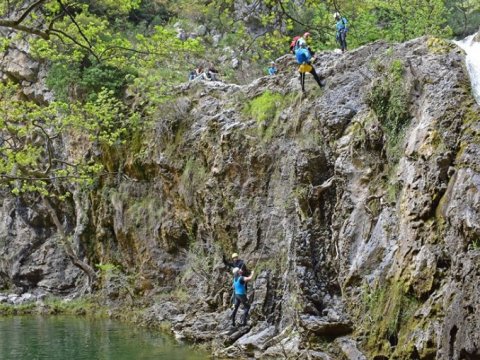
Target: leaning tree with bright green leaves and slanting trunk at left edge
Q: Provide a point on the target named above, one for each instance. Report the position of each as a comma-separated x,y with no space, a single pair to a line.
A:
34,163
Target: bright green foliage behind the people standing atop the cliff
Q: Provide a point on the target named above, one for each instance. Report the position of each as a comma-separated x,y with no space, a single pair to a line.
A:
369,20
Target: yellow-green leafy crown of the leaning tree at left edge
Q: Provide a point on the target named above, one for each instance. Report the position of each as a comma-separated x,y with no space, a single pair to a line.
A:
29,160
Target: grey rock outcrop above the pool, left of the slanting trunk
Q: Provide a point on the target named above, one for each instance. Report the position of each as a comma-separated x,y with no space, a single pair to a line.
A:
30,255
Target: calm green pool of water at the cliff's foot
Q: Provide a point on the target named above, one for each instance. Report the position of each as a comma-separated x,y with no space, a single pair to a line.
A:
70,338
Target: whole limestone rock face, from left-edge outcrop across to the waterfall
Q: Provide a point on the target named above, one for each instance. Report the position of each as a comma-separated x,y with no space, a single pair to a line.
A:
356,205
